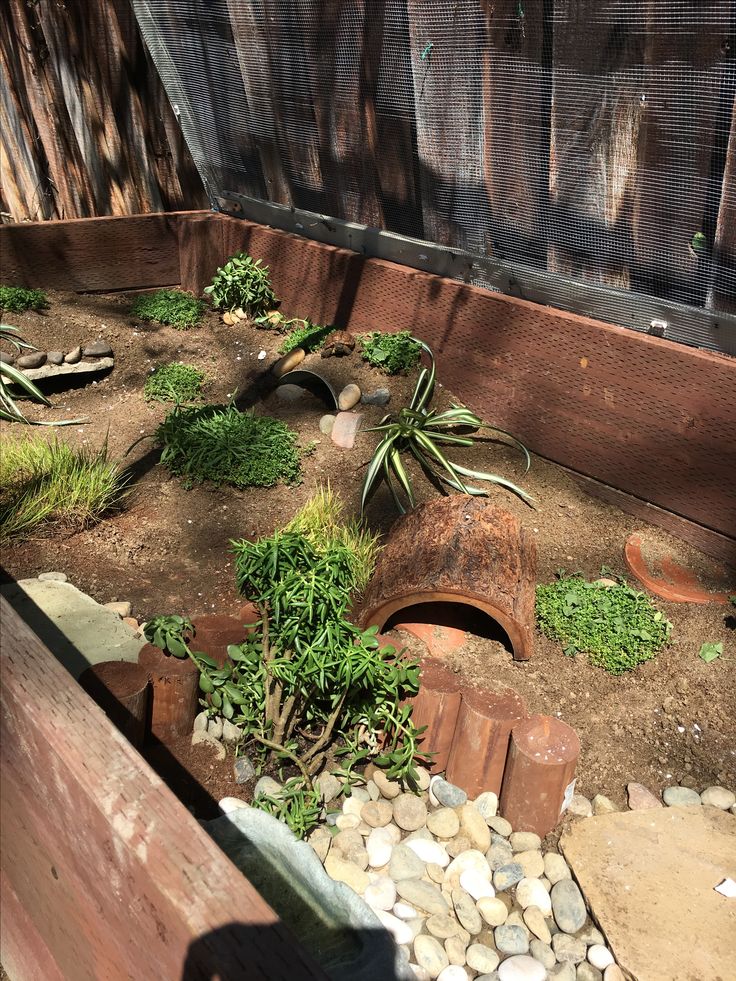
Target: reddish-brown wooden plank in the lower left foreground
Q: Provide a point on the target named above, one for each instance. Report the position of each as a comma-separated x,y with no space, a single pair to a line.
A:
104,873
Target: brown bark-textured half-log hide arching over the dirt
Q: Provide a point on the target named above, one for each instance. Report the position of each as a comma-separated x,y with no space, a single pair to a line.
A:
458,549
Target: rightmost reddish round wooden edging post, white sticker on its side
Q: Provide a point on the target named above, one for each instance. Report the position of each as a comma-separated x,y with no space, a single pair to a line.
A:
538,783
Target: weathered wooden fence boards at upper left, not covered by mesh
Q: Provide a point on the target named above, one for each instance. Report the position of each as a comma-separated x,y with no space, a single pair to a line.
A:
86,127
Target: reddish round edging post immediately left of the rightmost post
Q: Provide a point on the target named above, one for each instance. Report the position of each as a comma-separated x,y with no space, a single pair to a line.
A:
484,724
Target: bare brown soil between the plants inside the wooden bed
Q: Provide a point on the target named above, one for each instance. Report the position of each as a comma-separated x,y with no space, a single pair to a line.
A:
167,551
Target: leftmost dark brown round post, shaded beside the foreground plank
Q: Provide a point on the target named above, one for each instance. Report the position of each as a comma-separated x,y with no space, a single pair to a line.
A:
121,689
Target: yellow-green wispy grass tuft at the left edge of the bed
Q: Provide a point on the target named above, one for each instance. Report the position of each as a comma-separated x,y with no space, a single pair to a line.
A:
42,482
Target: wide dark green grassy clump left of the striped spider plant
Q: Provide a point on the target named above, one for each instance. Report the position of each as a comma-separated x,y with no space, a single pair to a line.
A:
221,444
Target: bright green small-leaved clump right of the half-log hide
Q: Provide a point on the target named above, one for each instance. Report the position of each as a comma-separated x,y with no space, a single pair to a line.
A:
616,626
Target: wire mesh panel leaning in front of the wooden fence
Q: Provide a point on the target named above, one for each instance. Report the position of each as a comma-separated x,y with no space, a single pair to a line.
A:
593,144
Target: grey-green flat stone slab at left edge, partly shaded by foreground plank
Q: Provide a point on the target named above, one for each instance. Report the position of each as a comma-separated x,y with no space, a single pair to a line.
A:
75,628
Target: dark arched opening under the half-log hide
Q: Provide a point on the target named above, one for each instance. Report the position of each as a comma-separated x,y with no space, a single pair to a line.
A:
453,622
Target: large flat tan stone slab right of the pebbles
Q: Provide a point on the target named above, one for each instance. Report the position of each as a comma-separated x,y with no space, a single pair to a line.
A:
649,878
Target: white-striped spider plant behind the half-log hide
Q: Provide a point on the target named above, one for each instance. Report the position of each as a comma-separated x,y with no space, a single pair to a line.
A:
421,432
